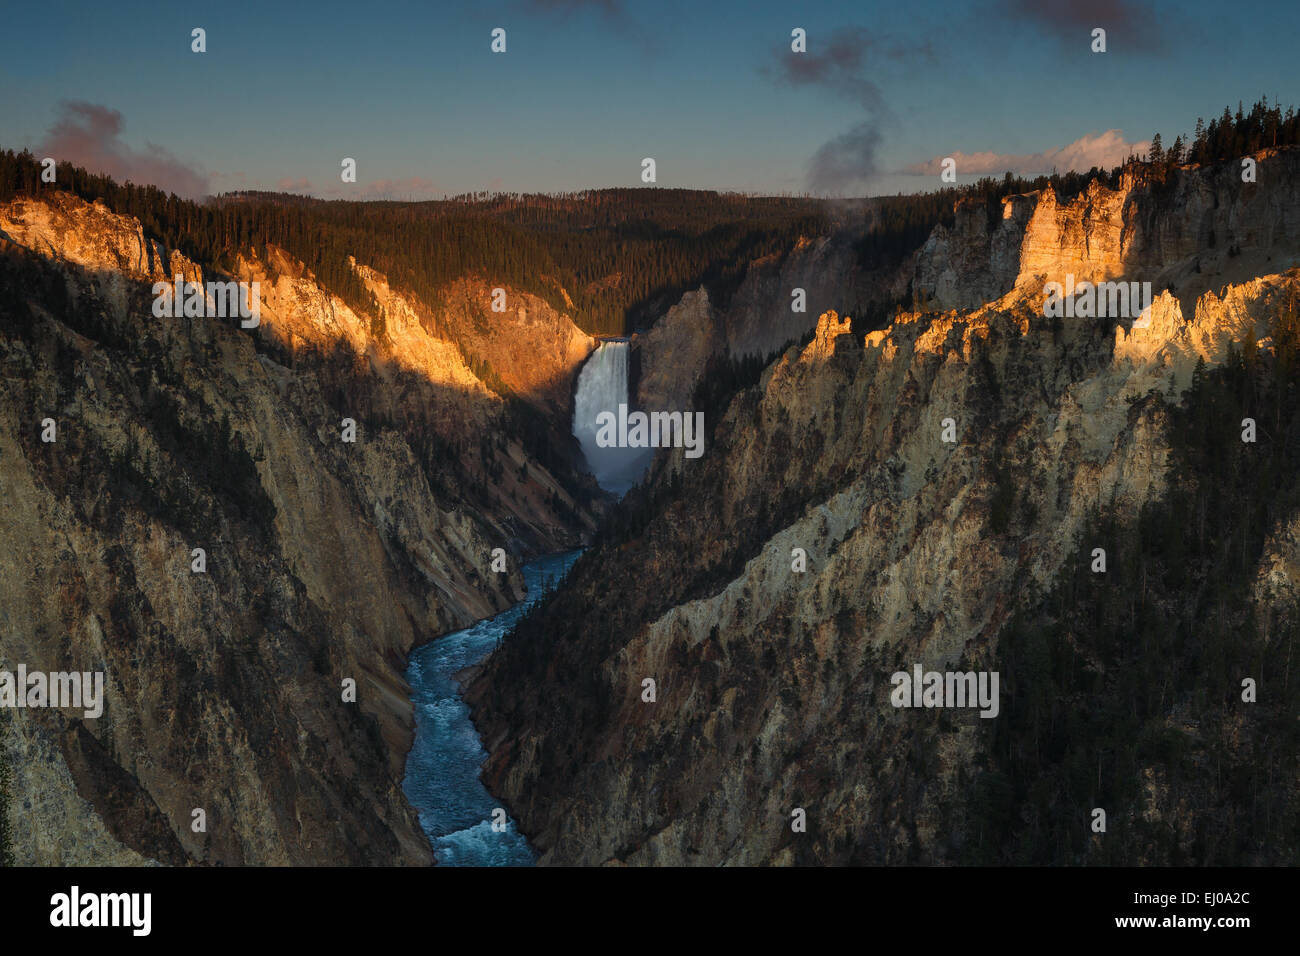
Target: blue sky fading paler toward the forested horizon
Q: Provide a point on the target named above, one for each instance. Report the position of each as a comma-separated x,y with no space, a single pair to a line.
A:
587,89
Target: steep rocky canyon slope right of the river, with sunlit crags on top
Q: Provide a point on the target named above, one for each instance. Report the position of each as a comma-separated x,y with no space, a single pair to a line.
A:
1120,690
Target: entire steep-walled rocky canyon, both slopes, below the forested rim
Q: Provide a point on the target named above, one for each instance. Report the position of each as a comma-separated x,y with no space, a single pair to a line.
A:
824,535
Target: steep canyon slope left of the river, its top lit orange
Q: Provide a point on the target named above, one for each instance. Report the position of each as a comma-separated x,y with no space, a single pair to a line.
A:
326,560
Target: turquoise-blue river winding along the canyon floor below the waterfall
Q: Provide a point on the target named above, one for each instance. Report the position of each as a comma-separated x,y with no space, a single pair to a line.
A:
443,771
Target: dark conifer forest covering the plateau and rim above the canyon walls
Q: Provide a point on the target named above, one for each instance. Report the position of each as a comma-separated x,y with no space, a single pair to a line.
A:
622,256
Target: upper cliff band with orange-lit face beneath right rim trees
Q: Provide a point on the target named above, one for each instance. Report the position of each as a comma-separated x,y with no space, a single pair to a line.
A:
1191,228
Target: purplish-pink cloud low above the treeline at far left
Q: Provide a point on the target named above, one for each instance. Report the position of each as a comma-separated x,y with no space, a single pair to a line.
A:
90,136
